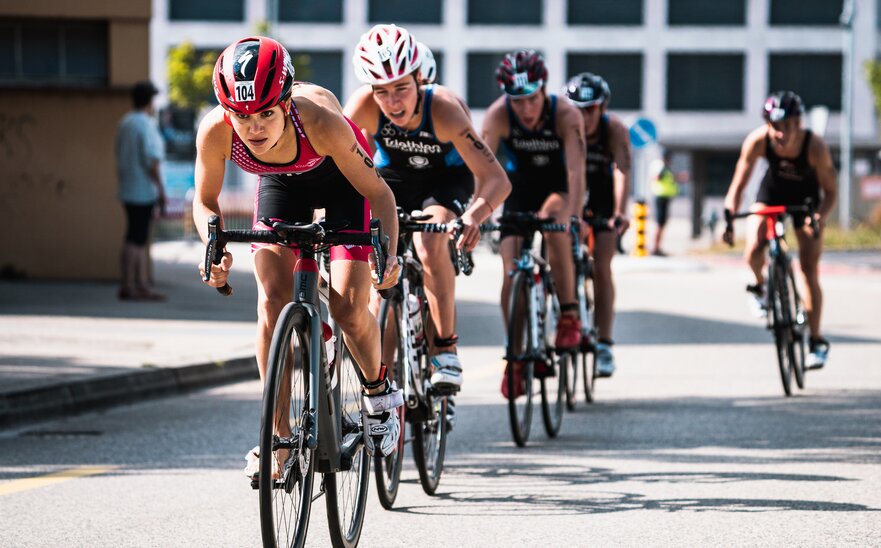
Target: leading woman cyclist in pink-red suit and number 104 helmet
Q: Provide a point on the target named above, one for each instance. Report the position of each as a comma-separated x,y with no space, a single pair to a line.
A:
307,155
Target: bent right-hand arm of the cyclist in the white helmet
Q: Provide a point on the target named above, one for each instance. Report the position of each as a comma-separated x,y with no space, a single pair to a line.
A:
491,183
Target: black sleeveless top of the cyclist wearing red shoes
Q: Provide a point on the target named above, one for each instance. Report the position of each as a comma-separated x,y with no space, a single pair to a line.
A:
536,163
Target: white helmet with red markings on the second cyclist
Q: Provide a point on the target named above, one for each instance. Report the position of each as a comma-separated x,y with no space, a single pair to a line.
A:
385,54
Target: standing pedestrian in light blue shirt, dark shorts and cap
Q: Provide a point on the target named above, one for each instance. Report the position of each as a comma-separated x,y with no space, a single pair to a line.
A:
139,154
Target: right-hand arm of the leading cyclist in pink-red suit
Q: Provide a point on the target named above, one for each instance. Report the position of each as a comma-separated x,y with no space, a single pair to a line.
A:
331,135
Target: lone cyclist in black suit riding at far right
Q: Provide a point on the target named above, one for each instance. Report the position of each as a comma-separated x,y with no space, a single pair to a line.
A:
799,168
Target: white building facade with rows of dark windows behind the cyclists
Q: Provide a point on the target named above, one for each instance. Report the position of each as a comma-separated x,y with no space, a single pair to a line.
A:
699,70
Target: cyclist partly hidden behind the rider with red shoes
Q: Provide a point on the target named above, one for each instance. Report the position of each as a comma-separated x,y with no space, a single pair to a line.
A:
608,187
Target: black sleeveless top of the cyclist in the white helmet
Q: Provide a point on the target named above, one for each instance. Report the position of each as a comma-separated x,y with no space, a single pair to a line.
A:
420,169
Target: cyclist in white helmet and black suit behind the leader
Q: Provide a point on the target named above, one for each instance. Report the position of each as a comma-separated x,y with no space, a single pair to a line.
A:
426,149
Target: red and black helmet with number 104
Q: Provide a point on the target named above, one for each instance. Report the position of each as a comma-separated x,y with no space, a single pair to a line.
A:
252,75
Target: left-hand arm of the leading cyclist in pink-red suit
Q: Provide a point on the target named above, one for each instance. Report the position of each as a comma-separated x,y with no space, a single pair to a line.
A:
213,141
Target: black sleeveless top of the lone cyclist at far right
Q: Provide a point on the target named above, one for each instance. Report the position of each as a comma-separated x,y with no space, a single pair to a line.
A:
789,181
